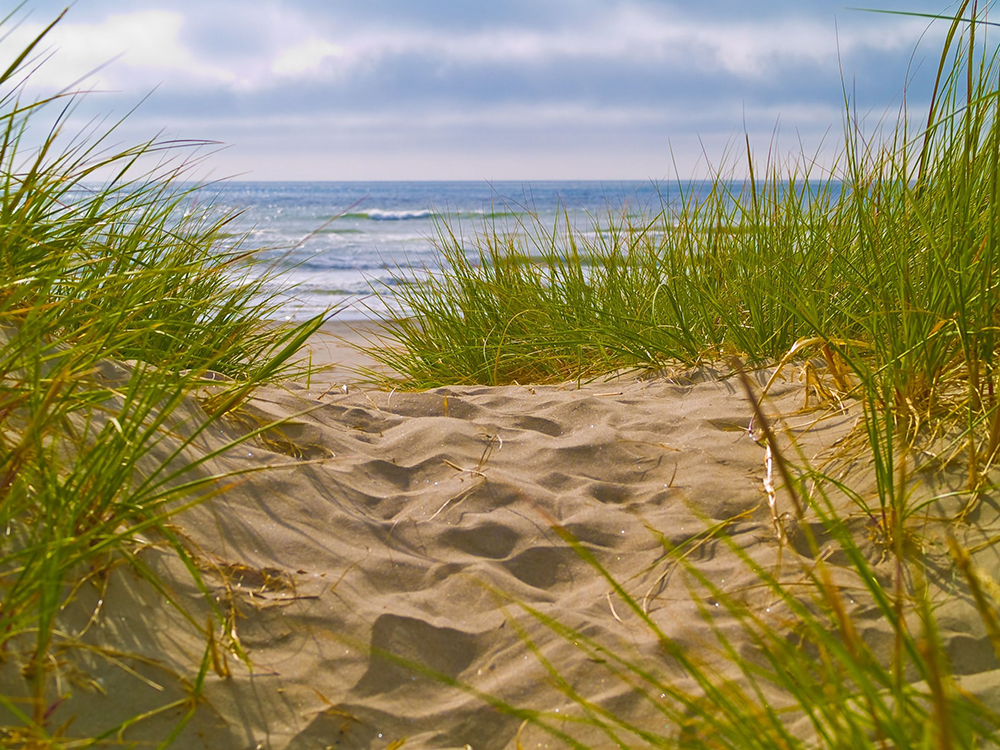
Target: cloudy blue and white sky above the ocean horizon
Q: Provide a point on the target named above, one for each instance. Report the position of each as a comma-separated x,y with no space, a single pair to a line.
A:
484,90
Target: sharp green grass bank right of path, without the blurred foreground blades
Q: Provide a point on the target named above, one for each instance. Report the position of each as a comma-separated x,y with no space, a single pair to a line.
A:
885,264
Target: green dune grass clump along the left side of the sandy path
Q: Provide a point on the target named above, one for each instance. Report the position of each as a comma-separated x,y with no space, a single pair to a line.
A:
120,298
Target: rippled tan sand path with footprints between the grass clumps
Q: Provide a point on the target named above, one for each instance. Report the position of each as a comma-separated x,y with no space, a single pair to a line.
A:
411,523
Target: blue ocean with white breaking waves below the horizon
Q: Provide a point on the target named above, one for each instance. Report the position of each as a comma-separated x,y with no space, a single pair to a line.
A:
334,242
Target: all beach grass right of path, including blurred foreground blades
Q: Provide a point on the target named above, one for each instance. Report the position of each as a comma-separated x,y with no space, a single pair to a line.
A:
878,279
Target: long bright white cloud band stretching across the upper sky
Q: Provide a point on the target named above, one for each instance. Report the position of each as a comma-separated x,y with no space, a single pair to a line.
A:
269,44
